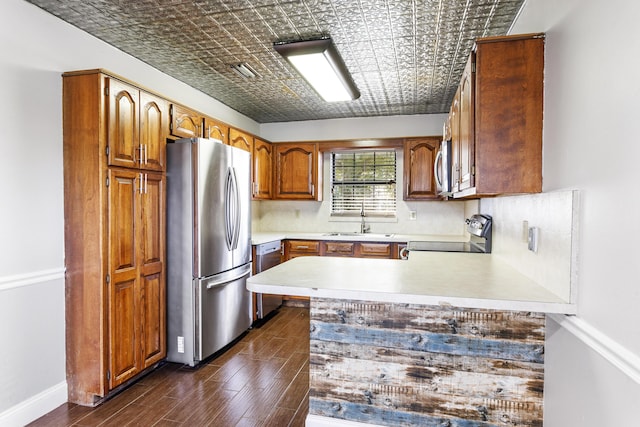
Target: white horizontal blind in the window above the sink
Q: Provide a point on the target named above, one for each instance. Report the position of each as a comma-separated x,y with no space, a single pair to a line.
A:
363,178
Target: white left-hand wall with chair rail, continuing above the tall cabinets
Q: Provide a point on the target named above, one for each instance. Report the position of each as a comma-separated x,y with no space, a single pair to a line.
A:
36,49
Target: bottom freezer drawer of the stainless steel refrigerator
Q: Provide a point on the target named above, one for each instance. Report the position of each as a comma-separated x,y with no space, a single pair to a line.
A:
223,306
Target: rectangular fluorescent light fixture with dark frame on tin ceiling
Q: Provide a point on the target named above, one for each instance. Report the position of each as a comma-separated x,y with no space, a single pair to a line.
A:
319,62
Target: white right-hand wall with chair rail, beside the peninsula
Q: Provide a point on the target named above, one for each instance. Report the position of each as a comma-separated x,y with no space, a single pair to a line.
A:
590,131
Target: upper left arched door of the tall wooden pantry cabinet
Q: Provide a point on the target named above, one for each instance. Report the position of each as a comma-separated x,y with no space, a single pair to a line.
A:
123,141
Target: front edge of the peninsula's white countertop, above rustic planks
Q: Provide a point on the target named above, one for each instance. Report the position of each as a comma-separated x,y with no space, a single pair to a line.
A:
495,304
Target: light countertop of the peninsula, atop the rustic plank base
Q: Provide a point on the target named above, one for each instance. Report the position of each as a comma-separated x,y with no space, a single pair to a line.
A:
431,278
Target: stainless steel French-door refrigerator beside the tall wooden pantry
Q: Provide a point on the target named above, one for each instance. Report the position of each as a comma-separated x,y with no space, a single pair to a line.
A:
208,247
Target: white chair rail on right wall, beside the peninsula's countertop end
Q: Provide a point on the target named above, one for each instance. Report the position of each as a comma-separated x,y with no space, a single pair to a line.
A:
619,356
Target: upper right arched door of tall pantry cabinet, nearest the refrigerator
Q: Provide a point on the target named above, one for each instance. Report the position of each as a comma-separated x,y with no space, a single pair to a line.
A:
154,121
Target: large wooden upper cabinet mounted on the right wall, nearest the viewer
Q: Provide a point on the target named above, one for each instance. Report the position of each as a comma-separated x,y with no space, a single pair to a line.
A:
501,105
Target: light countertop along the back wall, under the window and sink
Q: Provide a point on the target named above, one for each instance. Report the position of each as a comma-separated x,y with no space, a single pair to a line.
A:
264,237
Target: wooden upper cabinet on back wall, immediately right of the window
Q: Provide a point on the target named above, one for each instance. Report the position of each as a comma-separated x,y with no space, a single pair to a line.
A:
419,158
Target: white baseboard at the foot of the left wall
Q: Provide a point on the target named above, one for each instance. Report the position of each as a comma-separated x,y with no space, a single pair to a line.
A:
34,407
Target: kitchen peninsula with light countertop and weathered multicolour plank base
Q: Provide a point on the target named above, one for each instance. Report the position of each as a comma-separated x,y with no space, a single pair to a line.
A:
438,339
